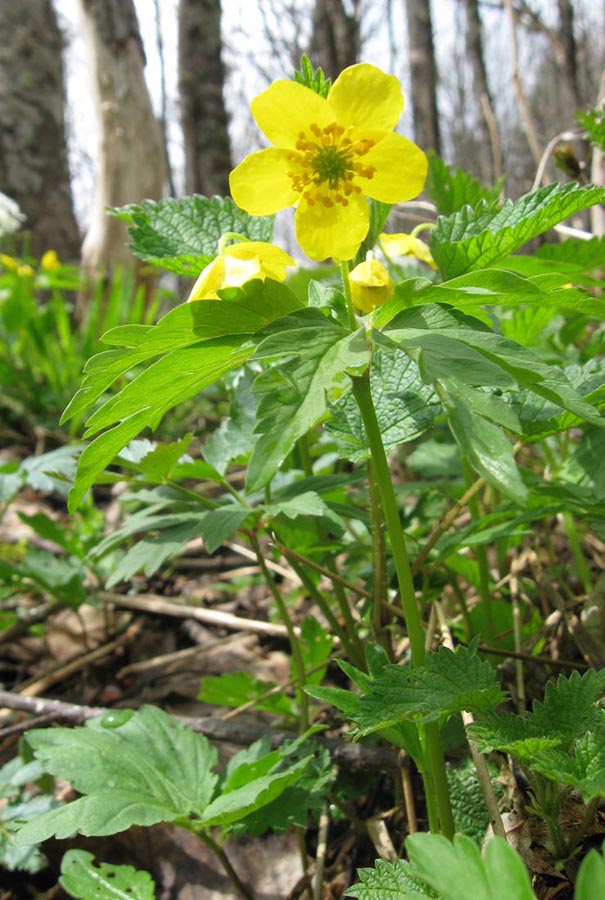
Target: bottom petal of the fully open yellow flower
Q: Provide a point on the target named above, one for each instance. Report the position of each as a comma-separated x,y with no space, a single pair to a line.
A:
335,231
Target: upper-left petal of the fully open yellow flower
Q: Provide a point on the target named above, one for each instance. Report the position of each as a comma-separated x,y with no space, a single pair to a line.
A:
286,108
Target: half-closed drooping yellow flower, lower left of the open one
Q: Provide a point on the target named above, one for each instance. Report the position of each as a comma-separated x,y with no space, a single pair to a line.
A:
239,263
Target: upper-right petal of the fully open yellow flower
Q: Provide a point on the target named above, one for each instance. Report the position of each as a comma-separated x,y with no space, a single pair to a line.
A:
364,96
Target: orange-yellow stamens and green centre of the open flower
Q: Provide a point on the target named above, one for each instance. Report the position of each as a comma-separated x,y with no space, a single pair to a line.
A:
327,165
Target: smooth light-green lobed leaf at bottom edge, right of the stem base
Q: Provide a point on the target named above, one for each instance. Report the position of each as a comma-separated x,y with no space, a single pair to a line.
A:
457,871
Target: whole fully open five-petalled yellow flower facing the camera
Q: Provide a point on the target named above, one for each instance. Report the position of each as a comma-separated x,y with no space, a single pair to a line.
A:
328,155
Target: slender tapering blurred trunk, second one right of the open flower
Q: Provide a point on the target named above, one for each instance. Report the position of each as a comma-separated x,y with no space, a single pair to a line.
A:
486,165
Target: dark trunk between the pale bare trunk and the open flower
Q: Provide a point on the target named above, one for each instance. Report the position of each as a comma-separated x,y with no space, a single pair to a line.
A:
203,113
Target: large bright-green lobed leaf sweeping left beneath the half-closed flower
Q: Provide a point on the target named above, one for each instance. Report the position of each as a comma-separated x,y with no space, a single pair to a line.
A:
195,345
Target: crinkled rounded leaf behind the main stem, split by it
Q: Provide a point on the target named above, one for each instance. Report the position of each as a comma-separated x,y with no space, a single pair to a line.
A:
405,406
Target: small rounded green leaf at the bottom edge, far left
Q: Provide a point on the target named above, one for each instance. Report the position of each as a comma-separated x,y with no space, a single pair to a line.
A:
84,881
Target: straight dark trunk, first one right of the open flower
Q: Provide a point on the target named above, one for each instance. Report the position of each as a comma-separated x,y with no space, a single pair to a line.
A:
424,75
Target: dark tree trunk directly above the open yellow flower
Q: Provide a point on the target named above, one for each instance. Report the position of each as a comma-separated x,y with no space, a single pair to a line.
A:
335,39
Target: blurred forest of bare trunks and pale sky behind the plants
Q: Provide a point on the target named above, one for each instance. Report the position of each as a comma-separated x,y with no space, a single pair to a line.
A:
108,102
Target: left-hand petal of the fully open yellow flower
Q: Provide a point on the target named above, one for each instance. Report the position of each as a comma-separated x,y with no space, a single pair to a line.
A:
260,184
